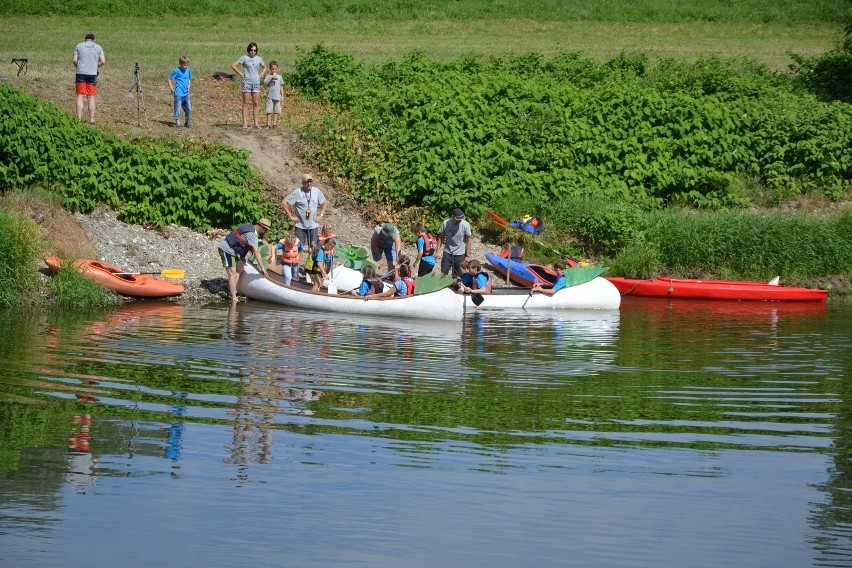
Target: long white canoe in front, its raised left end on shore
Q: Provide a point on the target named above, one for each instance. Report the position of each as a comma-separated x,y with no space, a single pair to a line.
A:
442,305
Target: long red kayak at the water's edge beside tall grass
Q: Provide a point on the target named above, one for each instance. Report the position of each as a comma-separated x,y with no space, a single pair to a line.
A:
662,287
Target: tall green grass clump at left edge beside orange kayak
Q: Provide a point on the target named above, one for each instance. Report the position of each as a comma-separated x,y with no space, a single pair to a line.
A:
20,249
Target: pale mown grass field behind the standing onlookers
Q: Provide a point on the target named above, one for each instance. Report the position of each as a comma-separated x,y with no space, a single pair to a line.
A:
213,43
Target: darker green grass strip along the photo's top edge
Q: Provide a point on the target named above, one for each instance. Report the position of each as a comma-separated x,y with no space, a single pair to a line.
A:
790,12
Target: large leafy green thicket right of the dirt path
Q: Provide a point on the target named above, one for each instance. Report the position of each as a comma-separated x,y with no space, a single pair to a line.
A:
473,132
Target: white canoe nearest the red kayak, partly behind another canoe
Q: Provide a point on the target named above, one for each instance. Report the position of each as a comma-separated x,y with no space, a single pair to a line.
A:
596,294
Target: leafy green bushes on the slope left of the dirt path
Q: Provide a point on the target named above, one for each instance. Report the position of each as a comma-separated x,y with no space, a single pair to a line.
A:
199,185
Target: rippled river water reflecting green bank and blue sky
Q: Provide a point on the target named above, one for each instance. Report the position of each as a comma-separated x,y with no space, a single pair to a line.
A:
665,434
